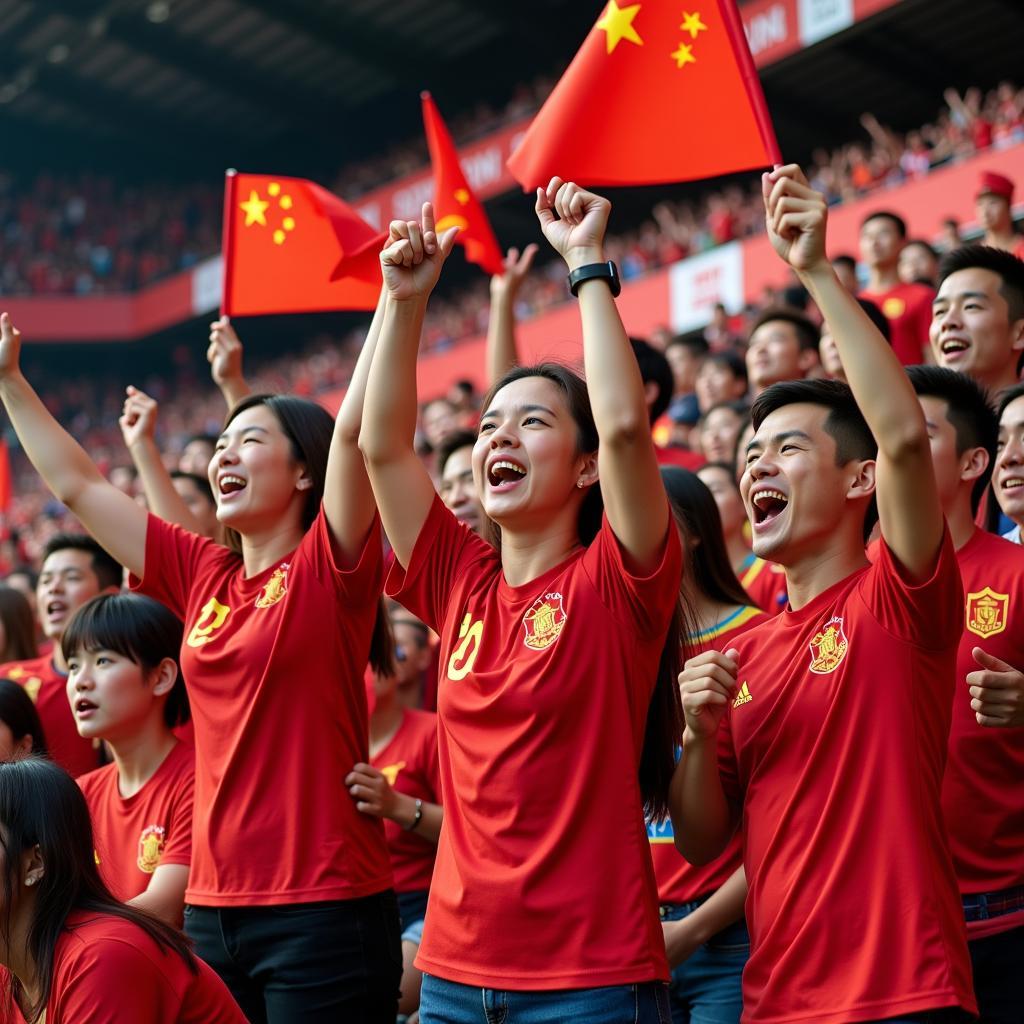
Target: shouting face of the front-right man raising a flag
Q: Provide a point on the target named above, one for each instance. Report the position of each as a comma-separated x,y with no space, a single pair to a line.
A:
795,495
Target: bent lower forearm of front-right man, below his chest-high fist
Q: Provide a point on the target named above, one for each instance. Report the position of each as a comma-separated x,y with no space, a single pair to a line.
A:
702,818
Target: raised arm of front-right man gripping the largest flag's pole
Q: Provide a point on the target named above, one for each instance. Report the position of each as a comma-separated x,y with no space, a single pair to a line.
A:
910,514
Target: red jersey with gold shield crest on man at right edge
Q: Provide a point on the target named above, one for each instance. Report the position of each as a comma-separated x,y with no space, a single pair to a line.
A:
984,787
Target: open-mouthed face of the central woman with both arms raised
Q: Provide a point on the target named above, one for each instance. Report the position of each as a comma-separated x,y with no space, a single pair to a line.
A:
526,460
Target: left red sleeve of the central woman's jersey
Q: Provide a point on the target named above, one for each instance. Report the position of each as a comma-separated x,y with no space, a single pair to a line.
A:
445,552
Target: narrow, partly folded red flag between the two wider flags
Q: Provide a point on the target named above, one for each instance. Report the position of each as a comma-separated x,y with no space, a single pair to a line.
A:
454,202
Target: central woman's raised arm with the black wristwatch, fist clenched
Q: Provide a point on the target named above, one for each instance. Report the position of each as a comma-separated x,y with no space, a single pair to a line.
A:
575,223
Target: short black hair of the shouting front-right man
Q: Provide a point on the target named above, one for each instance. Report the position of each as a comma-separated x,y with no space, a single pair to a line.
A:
845,422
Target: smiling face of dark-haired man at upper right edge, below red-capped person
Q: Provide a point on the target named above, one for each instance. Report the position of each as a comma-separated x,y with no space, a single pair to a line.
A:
971,329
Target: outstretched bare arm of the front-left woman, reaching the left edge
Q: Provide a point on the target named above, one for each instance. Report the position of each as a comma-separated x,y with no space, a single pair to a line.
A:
111,517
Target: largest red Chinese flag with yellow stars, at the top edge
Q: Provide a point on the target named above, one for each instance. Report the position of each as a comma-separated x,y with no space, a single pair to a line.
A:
659,93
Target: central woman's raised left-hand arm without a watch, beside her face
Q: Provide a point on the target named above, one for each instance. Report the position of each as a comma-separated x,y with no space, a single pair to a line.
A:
412,262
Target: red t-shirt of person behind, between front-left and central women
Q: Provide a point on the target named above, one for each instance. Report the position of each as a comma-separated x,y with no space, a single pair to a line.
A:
410,764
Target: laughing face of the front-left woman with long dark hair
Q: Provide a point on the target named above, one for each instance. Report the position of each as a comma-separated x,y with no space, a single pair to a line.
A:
254,476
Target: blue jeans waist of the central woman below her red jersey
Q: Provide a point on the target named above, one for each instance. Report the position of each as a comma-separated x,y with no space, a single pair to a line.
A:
449,1003
